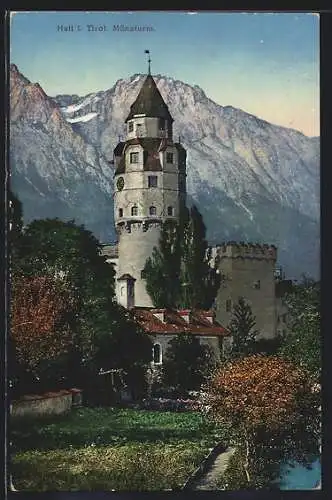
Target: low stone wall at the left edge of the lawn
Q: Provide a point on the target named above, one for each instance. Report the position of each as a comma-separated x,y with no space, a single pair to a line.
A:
51,403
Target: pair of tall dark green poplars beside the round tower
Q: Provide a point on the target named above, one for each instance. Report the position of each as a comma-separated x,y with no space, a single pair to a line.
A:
178,274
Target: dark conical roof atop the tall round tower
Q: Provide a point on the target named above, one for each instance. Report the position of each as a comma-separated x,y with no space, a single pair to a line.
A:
150,102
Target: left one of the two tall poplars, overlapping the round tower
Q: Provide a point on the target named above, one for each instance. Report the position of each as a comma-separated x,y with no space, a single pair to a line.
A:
162,269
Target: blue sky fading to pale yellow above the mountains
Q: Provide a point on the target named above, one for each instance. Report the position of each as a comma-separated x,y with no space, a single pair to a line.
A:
266,64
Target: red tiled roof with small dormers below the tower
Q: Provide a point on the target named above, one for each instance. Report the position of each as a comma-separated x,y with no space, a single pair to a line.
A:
175,324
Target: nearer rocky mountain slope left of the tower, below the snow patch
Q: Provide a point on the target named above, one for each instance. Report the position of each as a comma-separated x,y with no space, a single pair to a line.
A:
54,171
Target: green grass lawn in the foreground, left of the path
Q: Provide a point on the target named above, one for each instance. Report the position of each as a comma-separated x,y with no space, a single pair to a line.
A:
109,449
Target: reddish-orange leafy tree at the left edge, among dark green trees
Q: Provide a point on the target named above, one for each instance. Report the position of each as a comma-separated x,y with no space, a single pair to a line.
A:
39,323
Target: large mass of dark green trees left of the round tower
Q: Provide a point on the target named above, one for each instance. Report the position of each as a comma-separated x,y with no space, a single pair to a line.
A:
100,330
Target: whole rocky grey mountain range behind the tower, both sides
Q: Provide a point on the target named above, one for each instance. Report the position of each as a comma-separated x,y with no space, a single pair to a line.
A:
251,180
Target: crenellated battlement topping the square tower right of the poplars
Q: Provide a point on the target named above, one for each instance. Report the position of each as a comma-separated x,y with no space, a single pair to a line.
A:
243,250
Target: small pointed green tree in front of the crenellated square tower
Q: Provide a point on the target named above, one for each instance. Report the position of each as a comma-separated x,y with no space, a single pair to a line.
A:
242,329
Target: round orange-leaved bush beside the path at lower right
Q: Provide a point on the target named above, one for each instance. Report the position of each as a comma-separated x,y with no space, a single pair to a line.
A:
271,408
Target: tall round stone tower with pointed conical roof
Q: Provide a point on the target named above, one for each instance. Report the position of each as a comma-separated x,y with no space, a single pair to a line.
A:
149,188
